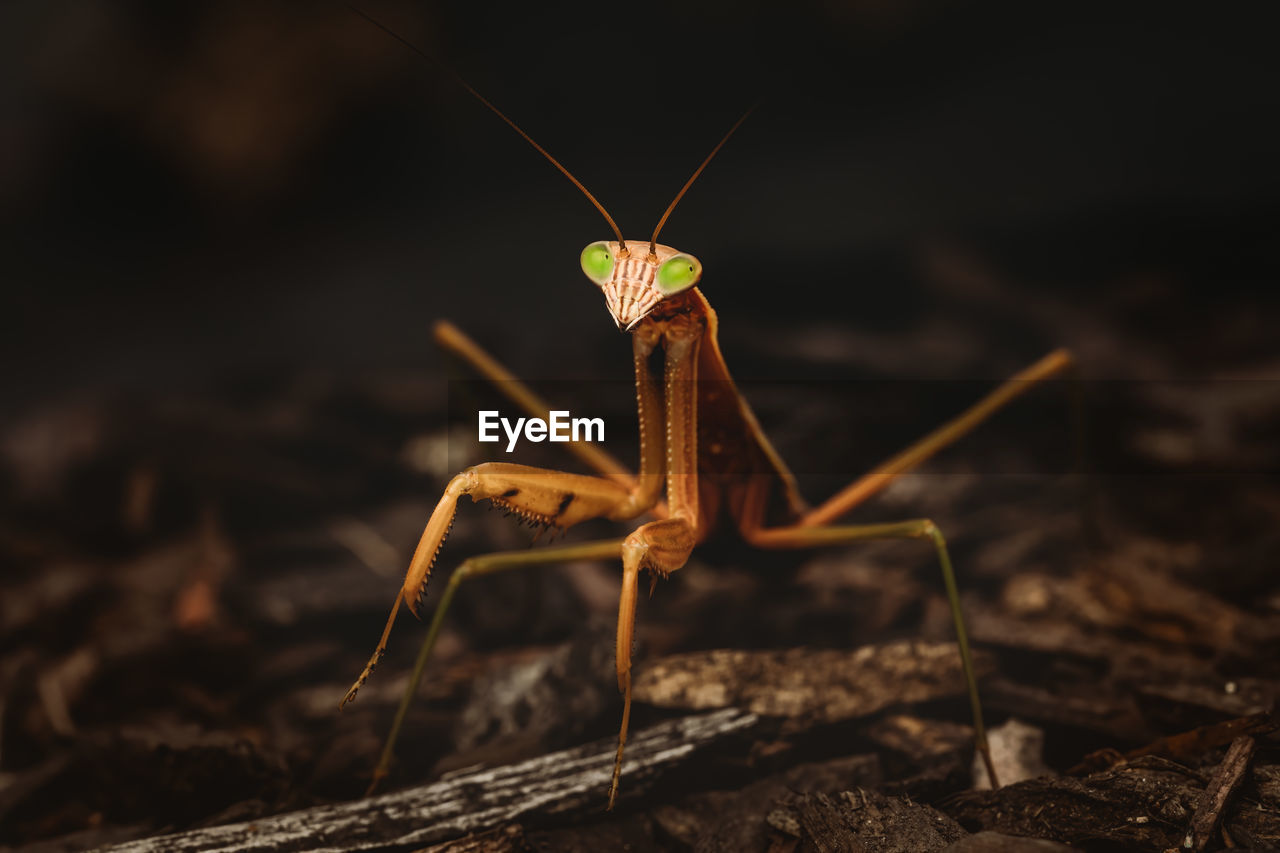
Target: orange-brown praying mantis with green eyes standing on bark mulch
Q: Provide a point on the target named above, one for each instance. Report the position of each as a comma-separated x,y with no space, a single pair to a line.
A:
703,455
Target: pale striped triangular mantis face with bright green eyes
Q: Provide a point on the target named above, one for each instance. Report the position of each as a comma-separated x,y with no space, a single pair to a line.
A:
634,281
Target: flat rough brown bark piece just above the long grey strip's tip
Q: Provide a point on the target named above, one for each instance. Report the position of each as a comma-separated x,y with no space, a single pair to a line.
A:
806,685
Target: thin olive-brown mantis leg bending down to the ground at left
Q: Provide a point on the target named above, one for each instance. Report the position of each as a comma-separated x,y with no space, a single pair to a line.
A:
477,568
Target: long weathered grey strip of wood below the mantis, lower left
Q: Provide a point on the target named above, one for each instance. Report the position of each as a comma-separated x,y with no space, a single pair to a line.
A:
574,781
